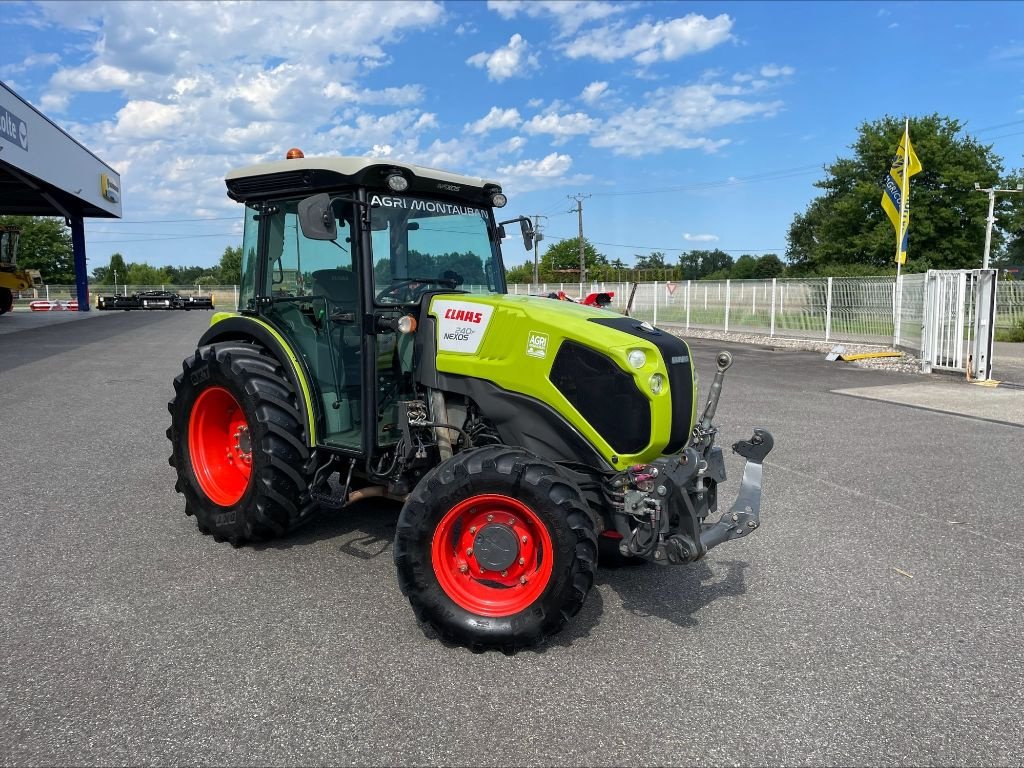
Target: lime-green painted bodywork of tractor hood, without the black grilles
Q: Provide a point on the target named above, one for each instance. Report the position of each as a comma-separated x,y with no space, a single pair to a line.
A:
519,346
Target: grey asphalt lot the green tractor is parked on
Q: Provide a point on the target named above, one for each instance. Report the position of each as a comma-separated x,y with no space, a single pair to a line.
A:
876,618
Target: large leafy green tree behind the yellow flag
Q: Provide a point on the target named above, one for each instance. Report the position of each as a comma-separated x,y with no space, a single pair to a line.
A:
847,226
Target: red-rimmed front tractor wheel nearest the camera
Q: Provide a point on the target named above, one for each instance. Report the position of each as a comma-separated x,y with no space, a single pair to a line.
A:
496,549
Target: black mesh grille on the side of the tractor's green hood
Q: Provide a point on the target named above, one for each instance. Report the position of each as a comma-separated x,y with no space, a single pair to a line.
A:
605,395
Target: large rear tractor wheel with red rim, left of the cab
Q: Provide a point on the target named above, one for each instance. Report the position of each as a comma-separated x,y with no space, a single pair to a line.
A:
239,445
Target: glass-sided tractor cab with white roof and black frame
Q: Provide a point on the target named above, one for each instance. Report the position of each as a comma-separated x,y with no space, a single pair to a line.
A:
337,255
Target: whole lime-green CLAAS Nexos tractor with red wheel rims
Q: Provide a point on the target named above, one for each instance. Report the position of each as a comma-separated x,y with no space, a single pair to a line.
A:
377,354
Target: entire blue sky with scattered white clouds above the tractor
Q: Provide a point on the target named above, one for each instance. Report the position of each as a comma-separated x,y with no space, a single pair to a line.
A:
691,125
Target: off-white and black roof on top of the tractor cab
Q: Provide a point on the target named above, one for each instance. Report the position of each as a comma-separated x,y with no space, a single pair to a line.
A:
316,175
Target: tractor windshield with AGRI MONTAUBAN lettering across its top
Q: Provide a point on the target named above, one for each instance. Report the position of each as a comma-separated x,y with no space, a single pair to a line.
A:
423,244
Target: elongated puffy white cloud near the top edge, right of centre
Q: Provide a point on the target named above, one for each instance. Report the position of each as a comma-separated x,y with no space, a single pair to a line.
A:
649,42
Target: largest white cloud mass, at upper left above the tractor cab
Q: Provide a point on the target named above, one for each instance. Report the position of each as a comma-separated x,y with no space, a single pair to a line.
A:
231,84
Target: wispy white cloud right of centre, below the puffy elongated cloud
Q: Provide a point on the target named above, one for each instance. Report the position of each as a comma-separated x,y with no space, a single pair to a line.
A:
679,118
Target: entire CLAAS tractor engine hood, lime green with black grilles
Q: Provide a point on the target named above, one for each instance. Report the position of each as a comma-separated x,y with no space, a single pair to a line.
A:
517,344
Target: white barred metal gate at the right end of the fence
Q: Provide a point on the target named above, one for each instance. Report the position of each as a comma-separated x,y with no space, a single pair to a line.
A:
958,328
